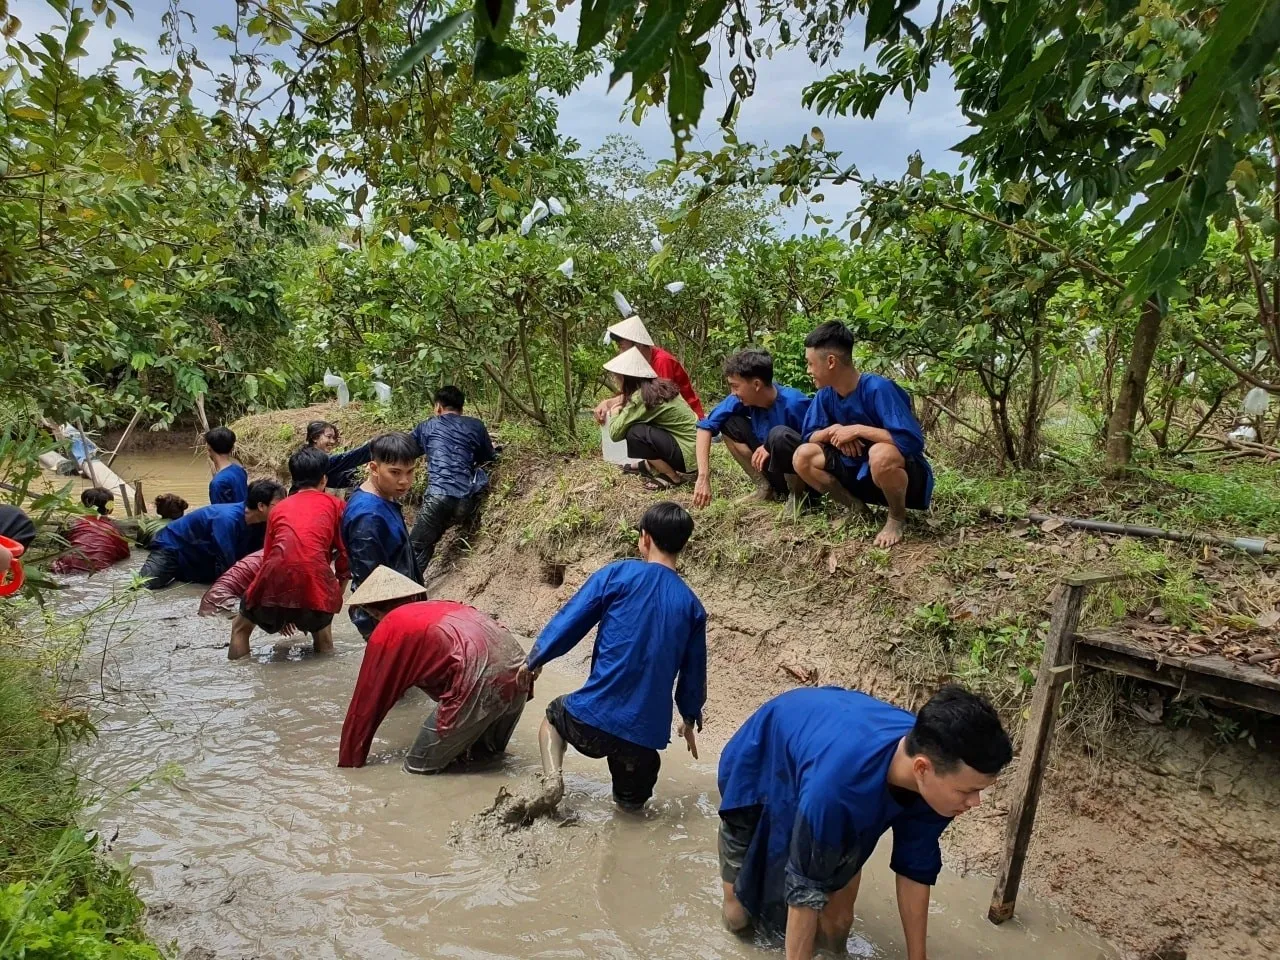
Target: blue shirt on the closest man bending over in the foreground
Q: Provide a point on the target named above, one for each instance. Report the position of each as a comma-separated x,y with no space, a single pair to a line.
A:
816,762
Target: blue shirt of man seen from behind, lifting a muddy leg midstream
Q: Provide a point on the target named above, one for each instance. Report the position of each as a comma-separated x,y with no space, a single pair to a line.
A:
652,630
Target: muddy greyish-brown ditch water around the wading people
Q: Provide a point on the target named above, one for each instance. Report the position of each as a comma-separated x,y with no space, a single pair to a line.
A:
250,843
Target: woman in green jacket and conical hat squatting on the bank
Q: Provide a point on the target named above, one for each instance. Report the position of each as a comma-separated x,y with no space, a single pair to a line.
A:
657,423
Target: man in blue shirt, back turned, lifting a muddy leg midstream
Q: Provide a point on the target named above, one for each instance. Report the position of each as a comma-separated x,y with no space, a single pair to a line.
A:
652,637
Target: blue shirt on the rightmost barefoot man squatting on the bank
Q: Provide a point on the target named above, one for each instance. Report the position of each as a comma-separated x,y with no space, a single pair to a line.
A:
879,403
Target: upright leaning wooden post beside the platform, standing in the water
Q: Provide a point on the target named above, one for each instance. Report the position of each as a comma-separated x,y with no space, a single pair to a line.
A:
1037,744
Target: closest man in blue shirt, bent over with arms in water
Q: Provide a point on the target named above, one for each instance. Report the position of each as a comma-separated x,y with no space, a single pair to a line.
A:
813,780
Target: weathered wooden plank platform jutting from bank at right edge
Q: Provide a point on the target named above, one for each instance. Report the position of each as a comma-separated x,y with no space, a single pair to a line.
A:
1212,676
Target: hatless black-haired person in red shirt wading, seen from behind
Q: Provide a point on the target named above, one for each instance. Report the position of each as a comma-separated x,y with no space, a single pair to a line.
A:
304,572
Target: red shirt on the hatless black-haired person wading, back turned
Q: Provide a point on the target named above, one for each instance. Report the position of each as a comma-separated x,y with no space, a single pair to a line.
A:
304,534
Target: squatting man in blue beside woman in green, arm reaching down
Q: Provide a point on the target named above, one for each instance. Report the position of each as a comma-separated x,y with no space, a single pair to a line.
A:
761,424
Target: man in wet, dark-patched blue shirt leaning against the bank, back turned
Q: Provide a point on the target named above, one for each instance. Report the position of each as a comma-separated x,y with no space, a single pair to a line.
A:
456,449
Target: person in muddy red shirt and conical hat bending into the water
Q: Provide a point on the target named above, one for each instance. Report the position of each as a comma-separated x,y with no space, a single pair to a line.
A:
459,656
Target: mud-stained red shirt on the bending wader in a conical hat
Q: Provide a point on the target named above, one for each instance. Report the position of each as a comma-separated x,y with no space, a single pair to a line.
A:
463,659
